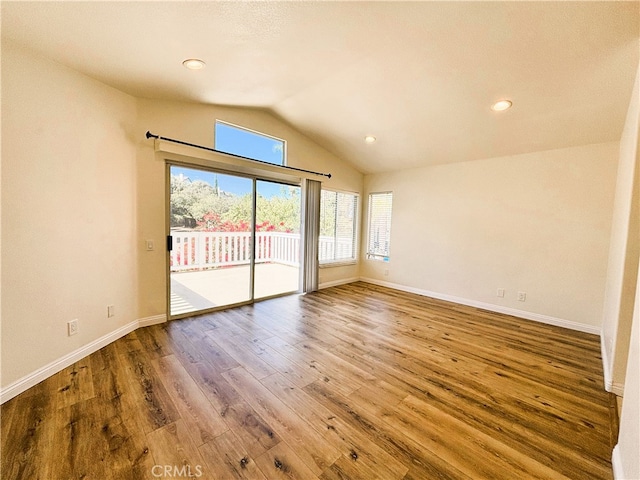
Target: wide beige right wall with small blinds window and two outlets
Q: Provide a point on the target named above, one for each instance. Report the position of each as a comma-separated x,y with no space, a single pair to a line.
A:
538,223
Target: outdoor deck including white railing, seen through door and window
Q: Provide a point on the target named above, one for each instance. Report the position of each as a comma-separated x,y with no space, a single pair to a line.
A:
211,269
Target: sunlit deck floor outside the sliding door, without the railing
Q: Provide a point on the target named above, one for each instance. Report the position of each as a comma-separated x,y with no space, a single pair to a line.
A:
199,290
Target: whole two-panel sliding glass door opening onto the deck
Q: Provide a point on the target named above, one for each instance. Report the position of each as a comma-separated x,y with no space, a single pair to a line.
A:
212,259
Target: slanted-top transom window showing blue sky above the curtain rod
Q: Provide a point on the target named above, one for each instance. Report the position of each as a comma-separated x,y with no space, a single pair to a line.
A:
247,143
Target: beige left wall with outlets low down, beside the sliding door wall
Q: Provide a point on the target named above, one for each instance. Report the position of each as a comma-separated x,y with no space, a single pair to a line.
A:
68,222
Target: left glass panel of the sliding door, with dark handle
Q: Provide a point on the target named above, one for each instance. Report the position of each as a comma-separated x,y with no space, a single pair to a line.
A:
211,231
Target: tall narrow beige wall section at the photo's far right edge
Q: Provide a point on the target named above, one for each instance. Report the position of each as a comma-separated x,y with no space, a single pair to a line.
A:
624,251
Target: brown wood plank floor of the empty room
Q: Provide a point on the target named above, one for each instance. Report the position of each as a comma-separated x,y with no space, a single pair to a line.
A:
352,382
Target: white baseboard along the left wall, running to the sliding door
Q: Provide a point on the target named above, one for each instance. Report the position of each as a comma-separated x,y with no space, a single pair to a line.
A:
28,381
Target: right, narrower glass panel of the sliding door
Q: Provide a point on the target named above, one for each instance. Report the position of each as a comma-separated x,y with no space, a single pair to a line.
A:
277,263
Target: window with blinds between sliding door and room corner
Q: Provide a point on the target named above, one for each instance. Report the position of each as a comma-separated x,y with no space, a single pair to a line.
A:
338,227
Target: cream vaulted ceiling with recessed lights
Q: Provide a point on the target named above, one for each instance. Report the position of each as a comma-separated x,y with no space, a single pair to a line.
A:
420,76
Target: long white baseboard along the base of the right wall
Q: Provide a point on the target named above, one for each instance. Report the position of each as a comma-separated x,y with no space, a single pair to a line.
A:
537,317
